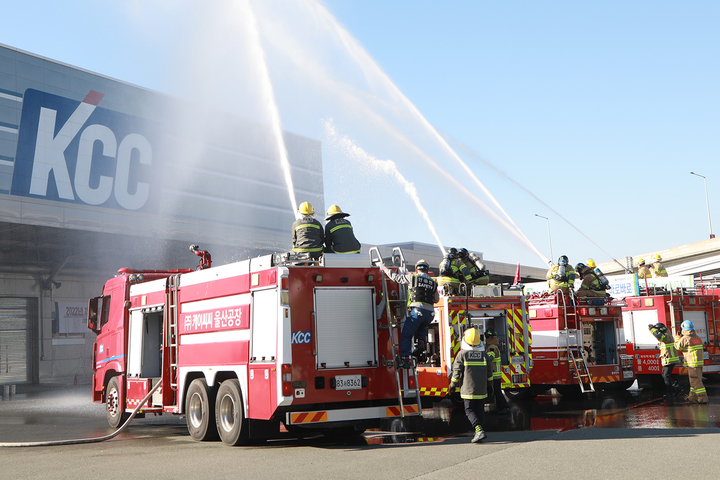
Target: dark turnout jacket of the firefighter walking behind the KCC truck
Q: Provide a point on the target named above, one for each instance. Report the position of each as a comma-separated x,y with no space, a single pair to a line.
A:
472,370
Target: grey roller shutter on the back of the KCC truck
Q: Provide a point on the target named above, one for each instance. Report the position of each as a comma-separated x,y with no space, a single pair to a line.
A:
345,327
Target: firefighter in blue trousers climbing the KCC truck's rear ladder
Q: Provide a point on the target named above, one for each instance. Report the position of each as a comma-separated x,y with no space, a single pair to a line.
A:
423,293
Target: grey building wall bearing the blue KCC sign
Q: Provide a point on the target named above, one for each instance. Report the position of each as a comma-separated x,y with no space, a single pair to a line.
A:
98,174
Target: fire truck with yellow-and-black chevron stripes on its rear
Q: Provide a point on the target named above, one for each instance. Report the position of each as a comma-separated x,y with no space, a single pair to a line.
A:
495,306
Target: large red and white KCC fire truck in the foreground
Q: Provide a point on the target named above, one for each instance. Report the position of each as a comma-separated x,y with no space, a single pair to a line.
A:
242,348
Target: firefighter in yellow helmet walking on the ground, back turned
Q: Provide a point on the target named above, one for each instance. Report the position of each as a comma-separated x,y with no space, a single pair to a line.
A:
472,371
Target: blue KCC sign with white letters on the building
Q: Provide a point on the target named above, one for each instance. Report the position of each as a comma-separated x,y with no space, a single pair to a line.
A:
77,152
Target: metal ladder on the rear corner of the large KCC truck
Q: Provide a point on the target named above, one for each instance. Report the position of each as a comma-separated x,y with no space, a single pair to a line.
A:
406,379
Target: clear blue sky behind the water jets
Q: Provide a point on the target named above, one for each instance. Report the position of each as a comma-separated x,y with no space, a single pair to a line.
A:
599,109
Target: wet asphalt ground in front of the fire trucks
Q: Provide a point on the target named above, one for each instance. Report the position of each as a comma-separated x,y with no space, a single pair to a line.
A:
630,434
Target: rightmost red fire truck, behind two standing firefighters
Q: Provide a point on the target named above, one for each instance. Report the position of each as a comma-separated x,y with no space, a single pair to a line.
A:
670,308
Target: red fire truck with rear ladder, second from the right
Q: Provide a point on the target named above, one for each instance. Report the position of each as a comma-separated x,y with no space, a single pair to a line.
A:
577,346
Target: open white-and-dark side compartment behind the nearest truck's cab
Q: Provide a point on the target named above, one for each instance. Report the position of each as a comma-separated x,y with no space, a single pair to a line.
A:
145,339
